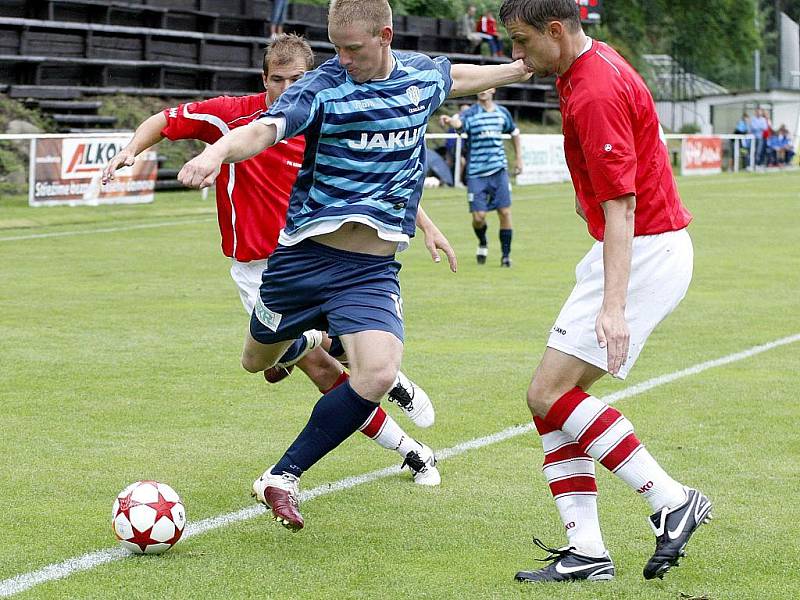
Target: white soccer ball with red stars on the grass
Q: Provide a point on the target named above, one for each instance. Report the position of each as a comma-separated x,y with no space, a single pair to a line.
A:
148,517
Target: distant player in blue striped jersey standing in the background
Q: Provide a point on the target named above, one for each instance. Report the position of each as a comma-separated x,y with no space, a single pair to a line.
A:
488,185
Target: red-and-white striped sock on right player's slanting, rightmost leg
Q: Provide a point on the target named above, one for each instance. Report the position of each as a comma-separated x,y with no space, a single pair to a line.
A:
606,435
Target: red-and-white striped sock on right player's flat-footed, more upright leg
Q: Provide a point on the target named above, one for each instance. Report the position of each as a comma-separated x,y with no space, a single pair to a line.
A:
570,473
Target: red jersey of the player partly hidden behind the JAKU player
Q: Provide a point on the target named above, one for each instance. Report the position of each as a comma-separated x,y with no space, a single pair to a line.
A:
253,195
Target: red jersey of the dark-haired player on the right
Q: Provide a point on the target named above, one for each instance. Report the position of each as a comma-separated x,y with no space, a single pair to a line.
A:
614,144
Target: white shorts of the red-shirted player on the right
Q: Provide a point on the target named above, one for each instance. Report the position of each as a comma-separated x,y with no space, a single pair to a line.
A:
661,269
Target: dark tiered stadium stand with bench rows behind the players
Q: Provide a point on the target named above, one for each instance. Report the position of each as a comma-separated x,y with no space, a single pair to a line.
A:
54,53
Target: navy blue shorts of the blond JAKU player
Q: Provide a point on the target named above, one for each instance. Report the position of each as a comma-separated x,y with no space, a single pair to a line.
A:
313,286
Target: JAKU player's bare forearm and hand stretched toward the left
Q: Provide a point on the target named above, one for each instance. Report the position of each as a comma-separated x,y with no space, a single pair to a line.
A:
240,144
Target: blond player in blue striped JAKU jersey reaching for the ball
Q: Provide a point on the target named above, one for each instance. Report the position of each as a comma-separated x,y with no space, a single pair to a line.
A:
354,204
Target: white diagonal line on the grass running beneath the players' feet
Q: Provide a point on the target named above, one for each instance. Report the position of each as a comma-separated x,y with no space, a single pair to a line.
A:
25,581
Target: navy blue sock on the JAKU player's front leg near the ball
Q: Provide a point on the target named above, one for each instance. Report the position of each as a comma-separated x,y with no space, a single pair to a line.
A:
337,415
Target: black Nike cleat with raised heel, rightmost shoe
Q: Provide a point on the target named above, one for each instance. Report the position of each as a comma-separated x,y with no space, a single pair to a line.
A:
673,528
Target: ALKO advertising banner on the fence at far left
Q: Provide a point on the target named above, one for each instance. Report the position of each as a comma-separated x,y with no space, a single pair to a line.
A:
66,172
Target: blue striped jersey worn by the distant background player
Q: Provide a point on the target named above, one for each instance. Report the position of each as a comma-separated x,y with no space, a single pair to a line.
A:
486,151
